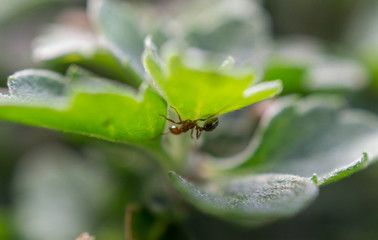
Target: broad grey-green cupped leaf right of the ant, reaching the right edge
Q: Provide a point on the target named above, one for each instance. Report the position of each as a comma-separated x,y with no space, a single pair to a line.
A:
311,136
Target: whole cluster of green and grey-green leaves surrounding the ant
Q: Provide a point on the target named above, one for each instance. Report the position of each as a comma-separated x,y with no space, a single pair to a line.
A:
117,83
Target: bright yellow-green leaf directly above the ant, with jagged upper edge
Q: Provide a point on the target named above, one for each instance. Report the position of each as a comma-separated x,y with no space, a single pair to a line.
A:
200,92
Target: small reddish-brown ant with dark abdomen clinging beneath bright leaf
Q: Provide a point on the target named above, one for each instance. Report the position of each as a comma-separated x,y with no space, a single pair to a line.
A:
183,126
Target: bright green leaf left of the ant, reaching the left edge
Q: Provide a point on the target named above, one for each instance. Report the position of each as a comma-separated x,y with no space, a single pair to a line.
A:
84,105
